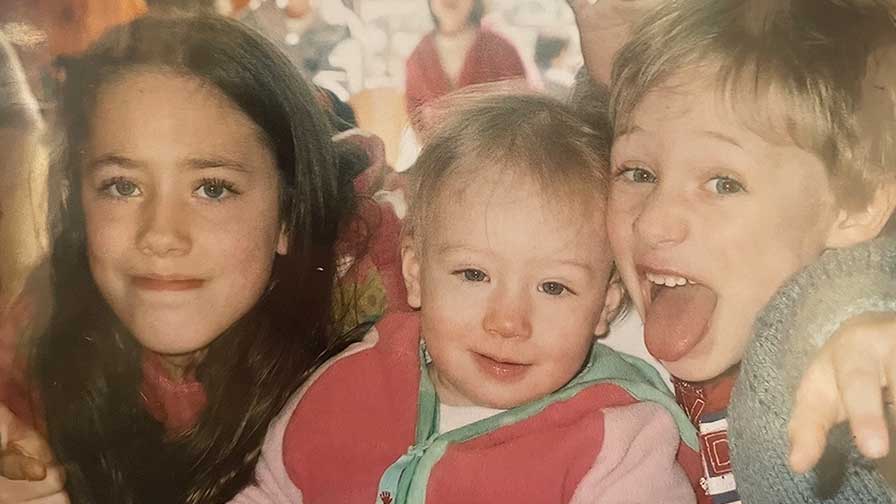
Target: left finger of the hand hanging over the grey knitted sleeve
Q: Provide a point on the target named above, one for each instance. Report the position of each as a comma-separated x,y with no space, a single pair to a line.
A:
816,409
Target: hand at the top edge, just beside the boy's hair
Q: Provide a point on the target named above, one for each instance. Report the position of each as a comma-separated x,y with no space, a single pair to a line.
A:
604,26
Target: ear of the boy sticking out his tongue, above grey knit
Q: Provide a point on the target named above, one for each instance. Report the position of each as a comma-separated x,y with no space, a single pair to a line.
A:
856,226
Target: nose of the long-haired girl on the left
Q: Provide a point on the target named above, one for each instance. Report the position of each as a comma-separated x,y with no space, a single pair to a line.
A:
163,228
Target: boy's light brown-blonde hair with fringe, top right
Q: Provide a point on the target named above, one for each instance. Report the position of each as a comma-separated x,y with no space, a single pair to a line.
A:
807,71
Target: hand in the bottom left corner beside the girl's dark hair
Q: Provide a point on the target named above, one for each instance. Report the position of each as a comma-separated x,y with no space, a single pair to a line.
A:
27,470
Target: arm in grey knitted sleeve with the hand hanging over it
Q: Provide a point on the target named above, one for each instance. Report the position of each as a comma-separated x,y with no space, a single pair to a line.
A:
809,333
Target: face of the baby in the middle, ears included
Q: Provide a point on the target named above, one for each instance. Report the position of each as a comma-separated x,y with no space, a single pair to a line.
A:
511,284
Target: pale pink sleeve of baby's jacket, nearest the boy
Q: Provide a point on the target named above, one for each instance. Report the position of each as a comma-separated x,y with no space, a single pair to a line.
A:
637,462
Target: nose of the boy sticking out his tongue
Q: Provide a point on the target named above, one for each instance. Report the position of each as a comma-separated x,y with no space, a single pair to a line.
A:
661,221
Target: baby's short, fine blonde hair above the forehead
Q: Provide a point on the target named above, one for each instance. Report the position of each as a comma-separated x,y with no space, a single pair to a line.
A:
488,128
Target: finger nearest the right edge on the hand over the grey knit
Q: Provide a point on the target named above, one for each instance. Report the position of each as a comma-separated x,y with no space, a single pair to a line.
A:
860,390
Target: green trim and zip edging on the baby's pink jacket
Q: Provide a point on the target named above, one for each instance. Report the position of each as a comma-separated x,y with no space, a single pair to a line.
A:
406,480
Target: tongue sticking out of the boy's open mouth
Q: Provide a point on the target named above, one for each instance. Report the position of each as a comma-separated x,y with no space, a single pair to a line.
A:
676,320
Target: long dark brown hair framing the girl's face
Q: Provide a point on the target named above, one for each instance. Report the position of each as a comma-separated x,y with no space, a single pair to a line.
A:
87,366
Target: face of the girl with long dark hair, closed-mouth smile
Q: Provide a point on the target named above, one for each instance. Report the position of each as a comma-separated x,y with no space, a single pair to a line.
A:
180,194
